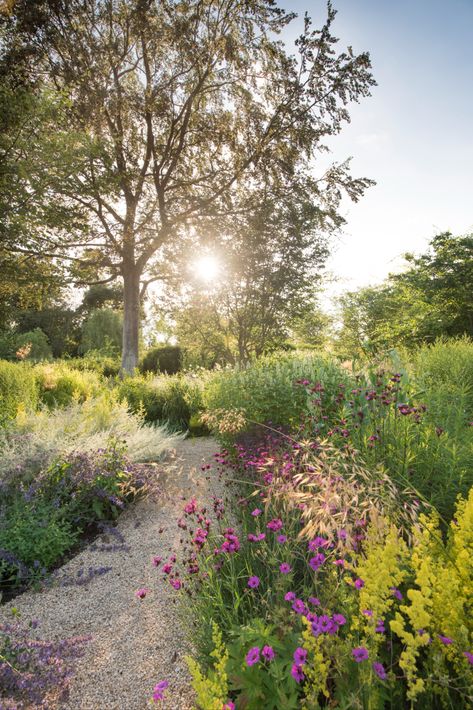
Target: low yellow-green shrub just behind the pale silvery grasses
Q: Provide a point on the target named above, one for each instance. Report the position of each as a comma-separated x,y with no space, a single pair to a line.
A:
60,384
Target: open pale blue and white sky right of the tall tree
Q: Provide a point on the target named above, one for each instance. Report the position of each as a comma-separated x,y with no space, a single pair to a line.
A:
413,136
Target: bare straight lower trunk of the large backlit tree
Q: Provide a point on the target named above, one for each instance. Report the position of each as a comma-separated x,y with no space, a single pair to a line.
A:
131,319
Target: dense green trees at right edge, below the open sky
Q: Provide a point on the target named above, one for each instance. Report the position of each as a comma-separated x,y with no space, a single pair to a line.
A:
430,299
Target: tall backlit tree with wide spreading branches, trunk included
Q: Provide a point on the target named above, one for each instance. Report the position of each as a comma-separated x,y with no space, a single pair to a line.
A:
194,103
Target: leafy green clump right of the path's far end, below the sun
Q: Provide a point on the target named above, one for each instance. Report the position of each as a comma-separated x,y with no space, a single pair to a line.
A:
265,389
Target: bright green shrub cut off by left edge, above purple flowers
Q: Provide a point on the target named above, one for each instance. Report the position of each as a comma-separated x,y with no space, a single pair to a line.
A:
17,387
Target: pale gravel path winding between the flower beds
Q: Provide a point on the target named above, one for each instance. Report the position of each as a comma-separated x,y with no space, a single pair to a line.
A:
135,643
